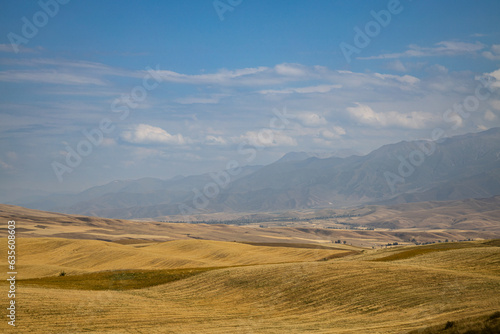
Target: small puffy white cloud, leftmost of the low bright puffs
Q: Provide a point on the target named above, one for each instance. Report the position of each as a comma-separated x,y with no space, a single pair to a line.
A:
147,134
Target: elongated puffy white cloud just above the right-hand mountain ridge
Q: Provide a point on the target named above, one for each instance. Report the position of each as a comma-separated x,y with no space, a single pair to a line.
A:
413,120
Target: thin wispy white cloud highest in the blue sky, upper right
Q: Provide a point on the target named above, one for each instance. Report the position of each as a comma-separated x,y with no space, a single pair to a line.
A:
444,48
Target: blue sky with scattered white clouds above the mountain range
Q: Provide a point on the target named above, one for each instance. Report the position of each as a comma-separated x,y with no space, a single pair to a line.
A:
95,91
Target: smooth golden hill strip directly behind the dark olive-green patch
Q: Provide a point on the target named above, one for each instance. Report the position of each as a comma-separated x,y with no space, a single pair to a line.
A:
49,256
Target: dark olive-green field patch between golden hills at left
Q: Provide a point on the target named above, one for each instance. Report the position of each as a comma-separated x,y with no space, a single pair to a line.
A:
114,280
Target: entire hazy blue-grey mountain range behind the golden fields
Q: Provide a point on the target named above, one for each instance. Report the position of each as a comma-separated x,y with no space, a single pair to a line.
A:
460,167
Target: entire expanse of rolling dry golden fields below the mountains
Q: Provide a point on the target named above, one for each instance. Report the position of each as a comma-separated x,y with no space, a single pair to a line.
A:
153,277
